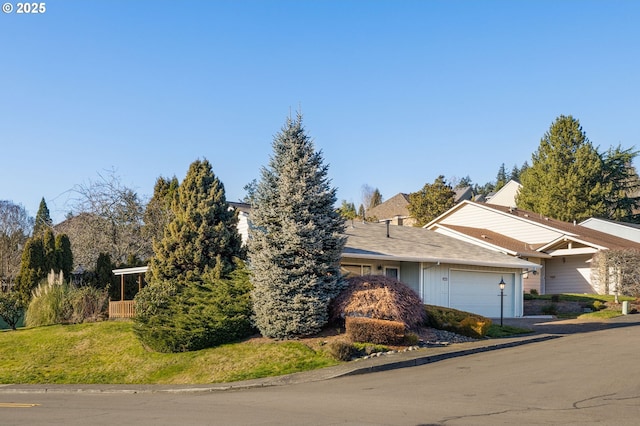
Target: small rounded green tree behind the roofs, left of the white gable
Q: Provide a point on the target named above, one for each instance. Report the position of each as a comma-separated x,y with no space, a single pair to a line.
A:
431,201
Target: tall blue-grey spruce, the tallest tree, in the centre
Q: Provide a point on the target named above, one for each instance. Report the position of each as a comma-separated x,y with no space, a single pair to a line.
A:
295,239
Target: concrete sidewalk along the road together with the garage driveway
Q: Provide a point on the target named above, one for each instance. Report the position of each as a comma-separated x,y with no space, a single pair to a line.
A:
544,329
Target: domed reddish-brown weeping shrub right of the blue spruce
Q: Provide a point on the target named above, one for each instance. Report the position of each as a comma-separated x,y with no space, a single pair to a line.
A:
378,297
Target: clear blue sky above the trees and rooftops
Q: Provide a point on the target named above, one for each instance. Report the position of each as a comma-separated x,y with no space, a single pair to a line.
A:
394,93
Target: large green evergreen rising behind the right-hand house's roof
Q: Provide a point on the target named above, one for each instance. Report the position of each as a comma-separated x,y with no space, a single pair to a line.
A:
565,180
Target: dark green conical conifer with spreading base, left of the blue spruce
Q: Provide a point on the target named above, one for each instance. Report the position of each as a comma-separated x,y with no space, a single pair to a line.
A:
198,294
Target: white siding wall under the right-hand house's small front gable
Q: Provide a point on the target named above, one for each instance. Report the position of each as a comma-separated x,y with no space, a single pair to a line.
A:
571,274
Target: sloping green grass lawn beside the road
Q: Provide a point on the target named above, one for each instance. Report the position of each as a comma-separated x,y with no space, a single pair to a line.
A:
109,352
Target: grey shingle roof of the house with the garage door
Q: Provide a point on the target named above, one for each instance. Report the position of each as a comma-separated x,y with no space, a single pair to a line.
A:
370,241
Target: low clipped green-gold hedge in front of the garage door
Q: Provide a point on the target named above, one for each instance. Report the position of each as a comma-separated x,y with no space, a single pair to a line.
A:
464,323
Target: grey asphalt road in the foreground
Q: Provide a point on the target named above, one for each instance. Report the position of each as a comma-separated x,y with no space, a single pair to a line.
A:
580,379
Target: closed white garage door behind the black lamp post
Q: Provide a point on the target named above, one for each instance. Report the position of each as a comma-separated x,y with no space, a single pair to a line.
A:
478,292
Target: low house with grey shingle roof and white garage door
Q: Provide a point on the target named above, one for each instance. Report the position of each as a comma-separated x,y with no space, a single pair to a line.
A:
442,270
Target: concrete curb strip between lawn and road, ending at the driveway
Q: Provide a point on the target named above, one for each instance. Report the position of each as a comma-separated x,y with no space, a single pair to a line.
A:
350,369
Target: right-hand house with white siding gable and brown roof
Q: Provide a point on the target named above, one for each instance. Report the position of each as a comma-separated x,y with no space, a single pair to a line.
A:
564,250
